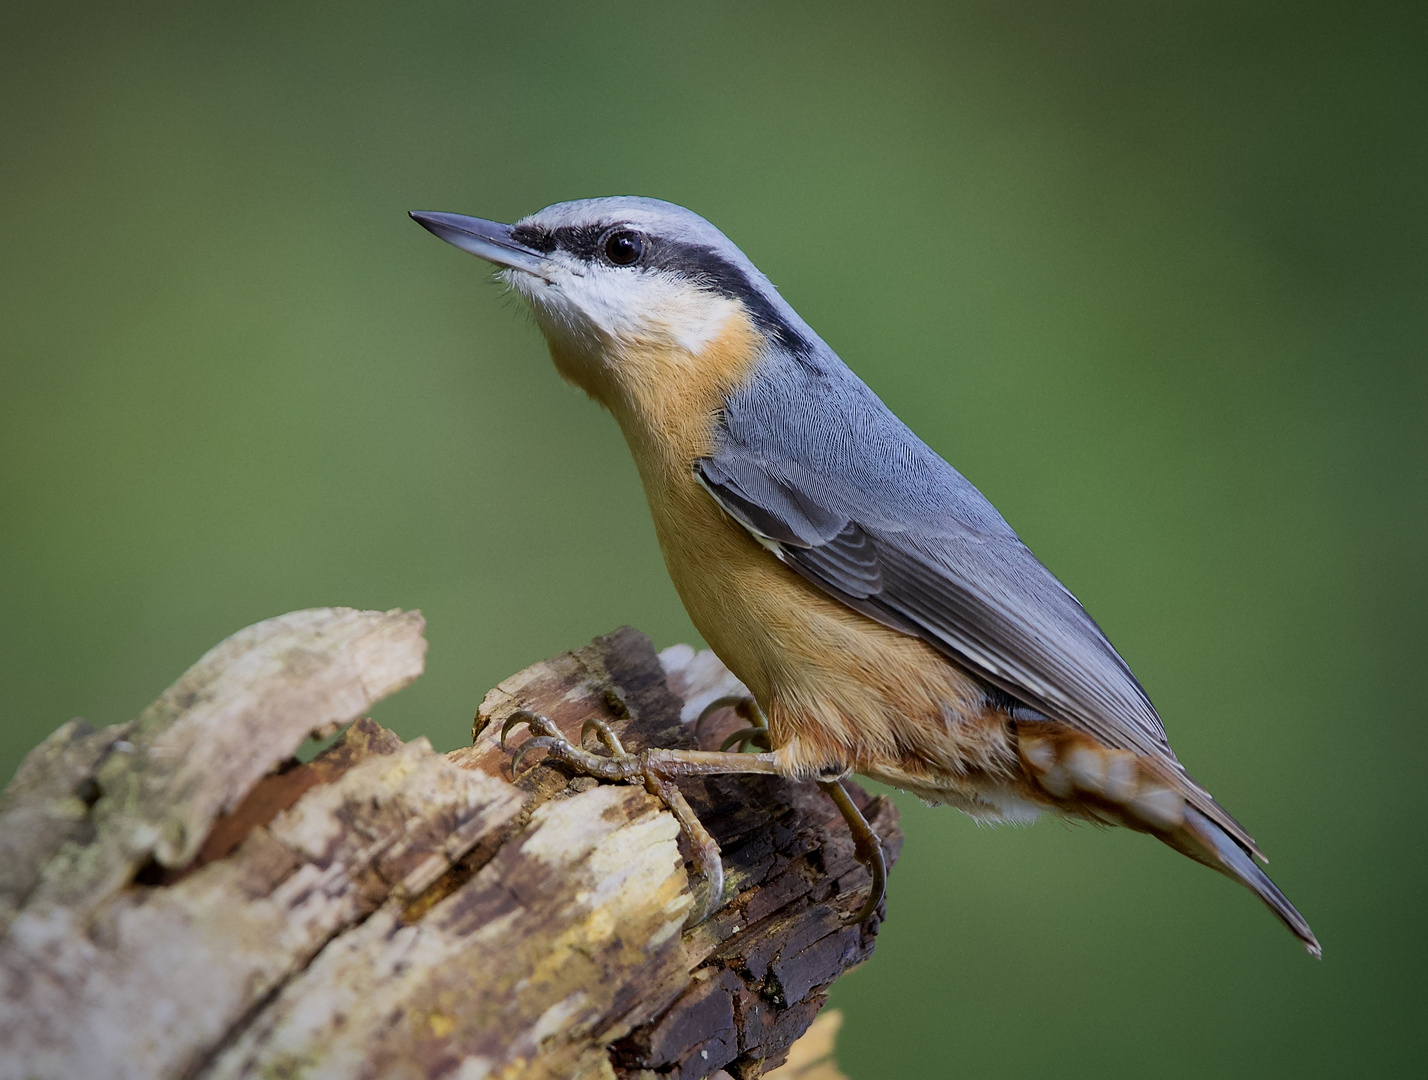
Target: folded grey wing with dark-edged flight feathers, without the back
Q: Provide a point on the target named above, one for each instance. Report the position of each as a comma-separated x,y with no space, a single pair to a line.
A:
985,601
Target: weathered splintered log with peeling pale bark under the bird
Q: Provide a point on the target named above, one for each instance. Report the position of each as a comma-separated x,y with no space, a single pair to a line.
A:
181,898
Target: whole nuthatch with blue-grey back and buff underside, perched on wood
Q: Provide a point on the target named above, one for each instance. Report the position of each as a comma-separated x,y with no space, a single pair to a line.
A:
882,614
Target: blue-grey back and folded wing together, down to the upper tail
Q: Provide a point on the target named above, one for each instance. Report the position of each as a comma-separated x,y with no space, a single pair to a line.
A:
845,494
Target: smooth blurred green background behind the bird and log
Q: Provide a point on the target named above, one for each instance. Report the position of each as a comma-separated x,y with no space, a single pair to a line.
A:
1152,275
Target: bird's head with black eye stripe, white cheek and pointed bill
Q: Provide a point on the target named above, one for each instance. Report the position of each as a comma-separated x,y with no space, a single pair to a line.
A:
630,289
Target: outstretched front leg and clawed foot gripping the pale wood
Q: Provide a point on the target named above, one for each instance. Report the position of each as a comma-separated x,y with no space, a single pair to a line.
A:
658,771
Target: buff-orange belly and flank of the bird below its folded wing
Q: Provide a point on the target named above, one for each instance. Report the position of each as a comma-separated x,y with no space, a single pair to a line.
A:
840,691
